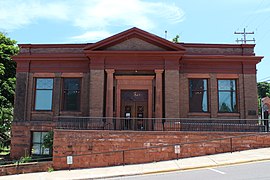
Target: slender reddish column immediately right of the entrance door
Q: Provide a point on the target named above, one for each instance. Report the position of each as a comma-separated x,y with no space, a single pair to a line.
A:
158,104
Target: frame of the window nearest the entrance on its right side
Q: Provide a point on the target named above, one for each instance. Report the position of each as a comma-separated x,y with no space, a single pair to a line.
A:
207,93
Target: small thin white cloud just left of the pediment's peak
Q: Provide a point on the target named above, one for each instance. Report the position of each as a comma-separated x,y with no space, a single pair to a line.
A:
91,36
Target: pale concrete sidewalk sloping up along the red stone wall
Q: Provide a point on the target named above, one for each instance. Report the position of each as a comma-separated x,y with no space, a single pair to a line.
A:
149,168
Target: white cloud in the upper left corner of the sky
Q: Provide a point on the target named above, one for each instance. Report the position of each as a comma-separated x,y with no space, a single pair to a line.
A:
16,14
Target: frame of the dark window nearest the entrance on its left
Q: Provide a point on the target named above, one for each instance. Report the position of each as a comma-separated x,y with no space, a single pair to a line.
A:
63,106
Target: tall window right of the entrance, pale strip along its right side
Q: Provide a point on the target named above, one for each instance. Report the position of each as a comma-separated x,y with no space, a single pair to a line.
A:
198,96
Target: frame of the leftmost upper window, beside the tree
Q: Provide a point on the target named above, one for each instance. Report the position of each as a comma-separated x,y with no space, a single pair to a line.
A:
35,93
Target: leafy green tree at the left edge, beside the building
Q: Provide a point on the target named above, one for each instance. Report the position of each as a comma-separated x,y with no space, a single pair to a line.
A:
8,48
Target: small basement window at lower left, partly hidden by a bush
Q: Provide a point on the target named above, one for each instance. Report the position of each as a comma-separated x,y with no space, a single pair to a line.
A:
37,144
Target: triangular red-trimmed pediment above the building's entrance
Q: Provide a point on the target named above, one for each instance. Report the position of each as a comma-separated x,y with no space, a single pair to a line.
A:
134,39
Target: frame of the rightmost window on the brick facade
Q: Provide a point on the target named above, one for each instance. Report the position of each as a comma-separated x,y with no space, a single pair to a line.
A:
236,95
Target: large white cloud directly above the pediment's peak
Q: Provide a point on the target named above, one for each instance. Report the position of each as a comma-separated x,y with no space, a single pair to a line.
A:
103,13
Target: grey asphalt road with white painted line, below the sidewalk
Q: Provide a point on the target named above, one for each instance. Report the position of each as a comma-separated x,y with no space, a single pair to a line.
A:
251,171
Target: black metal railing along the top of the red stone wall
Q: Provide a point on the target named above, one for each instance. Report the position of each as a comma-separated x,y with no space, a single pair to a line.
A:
162,124
